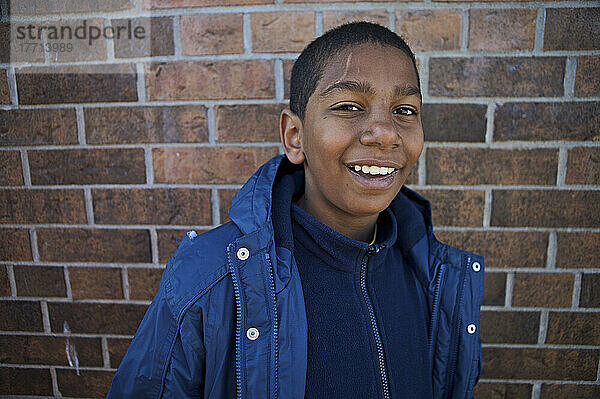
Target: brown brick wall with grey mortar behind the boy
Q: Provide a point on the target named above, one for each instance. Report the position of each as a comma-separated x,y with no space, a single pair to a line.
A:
102,173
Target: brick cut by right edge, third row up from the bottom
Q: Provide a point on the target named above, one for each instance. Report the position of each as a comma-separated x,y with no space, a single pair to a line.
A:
573,328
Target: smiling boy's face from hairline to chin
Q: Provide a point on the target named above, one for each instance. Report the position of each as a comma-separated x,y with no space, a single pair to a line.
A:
365,111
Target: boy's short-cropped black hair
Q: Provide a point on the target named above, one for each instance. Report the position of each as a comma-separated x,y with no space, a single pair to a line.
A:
308,68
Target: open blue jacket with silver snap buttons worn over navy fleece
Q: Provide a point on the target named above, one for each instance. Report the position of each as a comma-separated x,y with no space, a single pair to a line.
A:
228,320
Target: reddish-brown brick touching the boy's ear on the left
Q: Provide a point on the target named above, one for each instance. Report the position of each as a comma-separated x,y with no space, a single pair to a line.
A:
248,123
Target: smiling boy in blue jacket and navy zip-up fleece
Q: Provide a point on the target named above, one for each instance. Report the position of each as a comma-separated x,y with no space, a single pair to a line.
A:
328,281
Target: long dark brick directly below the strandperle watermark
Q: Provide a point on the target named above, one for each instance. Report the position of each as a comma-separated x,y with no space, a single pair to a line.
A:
77,84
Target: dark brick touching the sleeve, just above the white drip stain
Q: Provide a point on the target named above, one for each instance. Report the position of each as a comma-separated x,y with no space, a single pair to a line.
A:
96,318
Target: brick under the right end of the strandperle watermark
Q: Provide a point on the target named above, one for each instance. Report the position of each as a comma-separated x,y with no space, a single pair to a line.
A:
155,40
